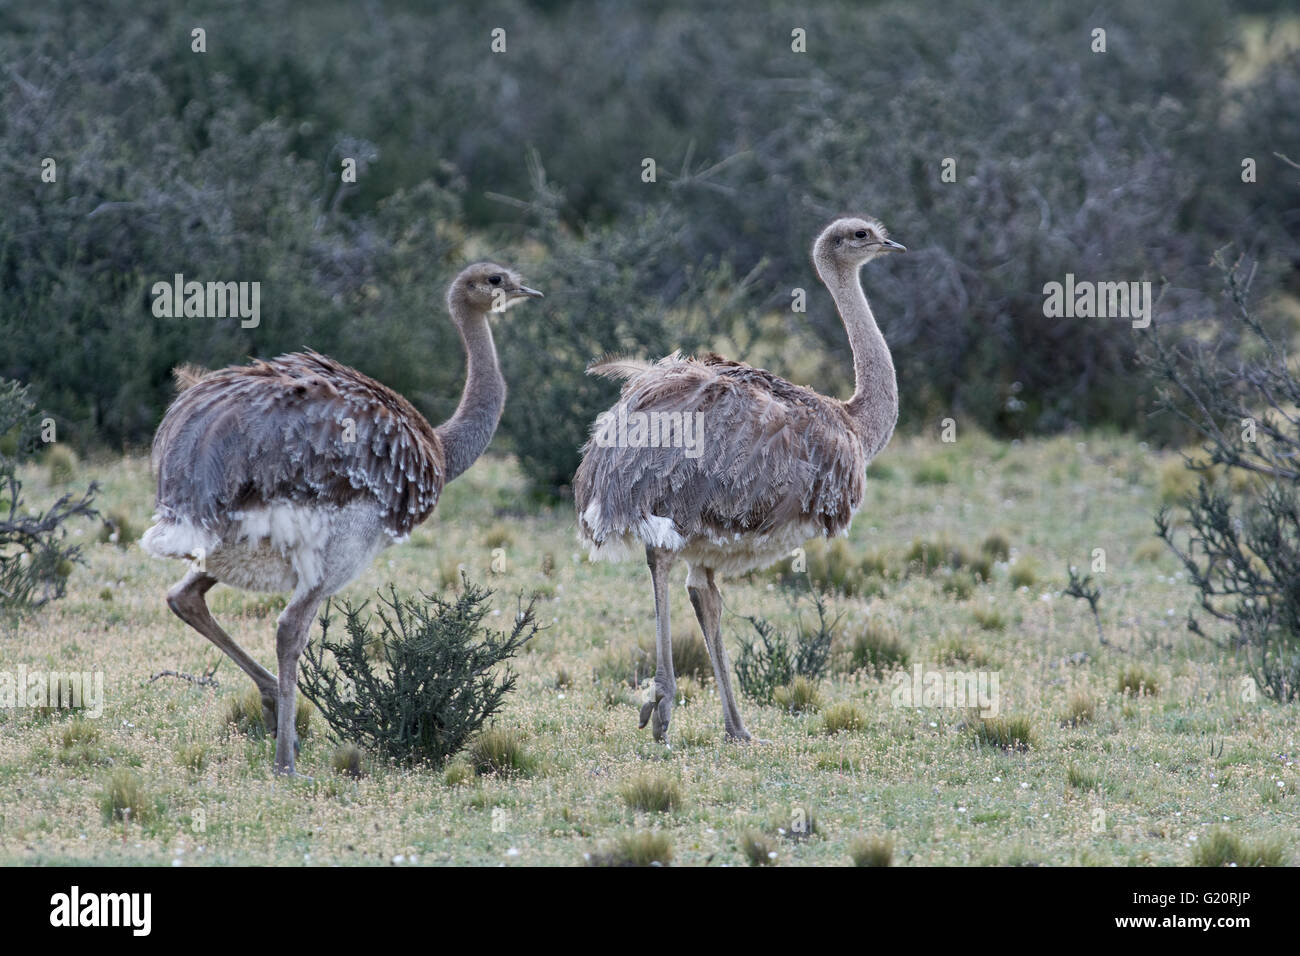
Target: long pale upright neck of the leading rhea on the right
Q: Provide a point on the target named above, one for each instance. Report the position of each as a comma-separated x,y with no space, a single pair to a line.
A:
876,396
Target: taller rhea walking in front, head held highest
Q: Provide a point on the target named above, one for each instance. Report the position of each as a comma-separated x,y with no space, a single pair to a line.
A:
775,466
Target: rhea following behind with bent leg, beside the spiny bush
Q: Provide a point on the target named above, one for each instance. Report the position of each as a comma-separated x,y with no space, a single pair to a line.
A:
291,475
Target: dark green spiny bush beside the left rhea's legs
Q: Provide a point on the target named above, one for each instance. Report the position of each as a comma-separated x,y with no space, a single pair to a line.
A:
439,684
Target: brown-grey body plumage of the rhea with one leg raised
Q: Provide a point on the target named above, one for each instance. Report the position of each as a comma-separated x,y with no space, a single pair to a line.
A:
298,429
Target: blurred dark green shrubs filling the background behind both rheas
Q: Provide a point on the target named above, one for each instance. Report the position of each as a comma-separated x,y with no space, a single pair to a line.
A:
226,166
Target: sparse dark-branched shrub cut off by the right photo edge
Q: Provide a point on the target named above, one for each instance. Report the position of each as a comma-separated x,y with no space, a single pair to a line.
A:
1241,544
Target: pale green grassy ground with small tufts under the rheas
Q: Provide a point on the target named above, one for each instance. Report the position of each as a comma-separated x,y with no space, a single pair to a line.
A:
1152,778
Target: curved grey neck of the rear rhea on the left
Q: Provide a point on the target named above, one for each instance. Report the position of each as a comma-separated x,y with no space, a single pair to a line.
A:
466,435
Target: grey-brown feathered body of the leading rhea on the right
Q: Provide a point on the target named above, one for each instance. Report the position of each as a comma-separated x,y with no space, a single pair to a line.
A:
772,453
